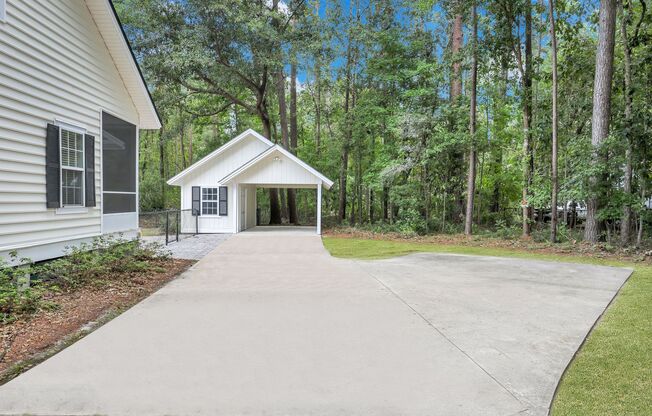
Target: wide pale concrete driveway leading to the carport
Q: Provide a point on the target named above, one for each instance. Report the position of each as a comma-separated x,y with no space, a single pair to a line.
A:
270,324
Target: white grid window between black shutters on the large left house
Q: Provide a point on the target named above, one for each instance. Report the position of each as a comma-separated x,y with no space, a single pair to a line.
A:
72,167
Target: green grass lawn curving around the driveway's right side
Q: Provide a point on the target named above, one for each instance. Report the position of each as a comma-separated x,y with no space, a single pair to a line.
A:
612,373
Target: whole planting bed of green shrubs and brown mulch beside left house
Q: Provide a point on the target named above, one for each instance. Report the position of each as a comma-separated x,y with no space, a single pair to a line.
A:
92,282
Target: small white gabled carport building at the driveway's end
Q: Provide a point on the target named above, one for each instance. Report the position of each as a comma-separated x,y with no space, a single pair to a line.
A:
220,189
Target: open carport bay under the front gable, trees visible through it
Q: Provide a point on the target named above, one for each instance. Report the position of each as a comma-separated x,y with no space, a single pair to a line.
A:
306,206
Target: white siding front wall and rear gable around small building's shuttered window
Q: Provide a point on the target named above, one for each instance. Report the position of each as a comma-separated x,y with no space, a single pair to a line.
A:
209,175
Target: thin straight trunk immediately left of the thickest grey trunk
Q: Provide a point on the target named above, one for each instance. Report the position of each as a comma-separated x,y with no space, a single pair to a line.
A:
555,182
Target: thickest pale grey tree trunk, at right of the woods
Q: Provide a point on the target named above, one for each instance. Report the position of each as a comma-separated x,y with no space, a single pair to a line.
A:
601,108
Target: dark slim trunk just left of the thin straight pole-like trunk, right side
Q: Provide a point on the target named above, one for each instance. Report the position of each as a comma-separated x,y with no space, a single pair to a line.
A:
528,160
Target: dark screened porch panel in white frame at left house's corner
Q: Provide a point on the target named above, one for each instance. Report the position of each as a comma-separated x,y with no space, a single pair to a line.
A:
119,171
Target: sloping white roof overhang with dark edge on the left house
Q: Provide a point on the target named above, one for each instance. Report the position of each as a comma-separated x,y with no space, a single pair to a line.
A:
107,21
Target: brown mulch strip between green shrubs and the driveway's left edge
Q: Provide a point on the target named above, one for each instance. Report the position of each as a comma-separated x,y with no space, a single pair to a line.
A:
73,310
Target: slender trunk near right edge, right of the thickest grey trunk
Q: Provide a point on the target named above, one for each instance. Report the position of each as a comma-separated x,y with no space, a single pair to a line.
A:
626,221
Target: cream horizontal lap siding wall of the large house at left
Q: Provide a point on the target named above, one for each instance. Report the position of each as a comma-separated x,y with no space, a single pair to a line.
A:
53,65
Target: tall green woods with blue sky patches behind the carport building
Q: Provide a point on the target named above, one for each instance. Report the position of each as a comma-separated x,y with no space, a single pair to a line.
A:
431,116
